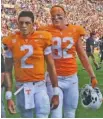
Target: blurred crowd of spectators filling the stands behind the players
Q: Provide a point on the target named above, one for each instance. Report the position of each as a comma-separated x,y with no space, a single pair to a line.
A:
88,13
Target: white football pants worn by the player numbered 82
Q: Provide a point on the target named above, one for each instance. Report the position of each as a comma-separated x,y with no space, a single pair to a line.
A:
68,95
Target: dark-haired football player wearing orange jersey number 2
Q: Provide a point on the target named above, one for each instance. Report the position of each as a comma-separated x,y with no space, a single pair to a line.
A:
26,51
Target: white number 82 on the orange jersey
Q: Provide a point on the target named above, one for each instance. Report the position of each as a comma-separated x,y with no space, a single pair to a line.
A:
62,53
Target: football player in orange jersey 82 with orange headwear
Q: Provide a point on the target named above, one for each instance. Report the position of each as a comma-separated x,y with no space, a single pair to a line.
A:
66,42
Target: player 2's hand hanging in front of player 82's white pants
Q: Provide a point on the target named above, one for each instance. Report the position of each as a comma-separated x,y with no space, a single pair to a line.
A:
54,102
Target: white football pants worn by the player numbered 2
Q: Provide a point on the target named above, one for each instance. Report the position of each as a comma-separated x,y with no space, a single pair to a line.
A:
40,98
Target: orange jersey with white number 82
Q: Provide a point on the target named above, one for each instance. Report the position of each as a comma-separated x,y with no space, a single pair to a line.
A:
63,48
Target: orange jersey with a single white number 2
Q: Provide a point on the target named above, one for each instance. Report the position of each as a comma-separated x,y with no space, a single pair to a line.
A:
28,54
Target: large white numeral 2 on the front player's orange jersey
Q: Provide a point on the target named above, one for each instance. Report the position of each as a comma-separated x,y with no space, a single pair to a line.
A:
27,55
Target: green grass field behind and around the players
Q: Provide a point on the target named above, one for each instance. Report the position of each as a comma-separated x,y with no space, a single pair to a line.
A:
83,79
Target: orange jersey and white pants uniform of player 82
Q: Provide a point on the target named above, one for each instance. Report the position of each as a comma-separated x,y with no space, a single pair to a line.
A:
64,54
